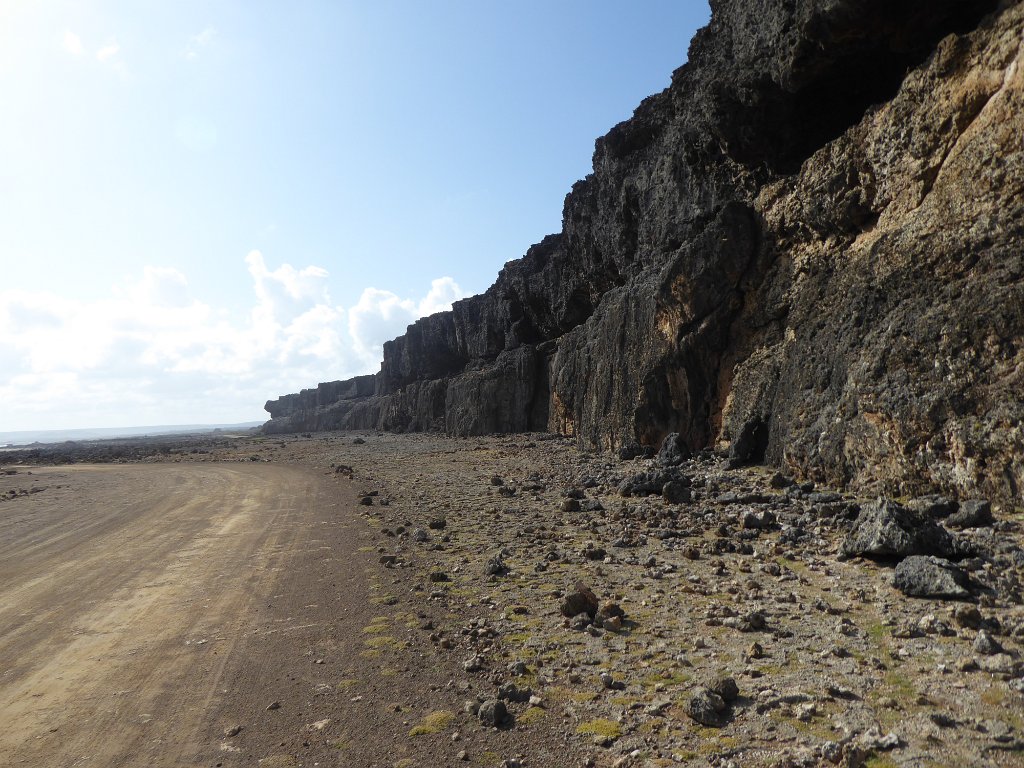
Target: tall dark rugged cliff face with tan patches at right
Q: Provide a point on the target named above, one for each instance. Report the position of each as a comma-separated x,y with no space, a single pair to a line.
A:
813,237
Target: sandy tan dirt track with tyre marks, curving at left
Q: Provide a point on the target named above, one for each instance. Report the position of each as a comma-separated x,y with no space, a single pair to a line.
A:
125,594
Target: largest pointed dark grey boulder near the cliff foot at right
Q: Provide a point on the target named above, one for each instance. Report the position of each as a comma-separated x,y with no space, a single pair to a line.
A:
888,531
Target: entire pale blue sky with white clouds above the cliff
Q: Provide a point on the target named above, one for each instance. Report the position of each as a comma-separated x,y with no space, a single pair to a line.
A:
208,204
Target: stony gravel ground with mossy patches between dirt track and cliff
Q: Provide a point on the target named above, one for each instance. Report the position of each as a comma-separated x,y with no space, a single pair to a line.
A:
619,628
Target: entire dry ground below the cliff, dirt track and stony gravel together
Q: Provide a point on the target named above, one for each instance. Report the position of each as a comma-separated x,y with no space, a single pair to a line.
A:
114,576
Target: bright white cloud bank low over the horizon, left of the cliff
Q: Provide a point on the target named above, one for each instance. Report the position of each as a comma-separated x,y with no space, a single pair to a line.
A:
153,354
